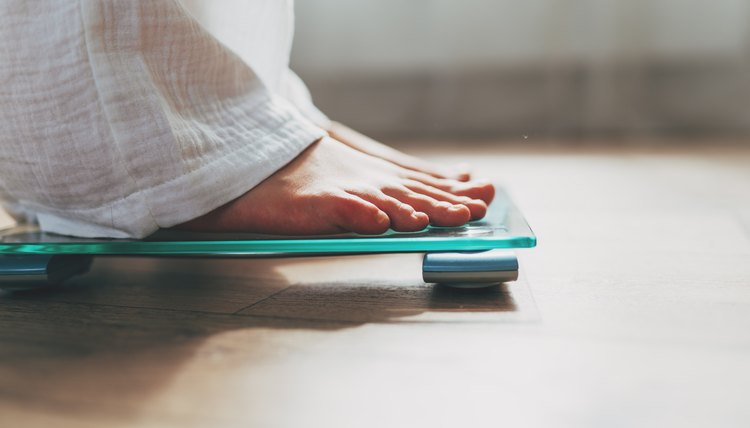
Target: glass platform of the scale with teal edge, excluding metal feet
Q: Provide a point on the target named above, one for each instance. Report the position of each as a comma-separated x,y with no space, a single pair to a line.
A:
503,228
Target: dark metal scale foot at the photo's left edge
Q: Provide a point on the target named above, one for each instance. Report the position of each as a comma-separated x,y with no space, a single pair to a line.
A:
30,271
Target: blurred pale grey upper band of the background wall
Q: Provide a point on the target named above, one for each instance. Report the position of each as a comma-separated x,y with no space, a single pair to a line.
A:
393,35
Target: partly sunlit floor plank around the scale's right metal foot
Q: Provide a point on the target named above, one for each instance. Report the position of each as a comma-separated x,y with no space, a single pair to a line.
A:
353,289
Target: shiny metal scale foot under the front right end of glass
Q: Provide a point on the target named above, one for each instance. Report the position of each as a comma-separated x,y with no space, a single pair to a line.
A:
470,269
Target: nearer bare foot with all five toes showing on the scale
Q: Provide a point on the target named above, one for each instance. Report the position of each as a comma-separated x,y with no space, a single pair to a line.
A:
333,188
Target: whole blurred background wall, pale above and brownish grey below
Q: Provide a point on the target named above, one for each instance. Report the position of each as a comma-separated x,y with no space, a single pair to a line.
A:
549,67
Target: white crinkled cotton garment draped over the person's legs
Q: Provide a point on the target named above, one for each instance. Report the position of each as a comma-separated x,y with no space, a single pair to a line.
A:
121,117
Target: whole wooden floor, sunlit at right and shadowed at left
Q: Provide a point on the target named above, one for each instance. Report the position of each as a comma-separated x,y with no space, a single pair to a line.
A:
633,311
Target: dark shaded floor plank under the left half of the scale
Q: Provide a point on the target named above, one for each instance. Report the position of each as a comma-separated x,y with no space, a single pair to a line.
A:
193,284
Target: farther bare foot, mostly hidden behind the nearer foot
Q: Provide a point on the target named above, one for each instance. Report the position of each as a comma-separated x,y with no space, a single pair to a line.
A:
367,145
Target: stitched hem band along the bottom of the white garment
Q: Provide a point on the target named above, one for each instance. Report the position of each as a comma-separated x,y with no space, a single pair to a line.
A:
191,195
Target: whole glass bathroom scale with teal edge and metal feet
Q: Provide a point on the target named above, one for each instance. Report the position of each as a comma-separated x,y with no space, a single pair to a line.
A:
477,254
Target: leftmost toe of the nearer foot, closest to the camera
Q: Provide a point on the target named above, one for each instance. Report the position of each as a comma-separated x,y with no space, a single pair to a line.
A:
351,213
